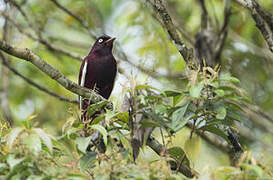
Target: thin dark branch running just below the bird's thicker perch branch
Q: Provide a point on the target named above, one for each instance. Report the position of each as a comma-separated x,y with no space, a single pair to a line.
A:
51,93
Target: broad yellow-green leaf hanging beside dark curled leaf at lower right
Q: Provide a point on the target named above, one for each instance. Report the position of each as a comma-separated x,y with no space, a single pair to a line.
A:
192,147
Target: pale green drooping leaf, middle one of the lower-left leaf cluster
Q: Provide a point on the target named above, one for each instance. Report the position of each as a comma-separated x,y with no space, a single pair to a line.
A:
33,142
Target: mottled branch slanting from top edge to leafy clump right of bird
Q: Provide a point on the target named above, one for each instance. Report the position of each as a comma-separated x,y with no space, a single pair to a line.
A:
159,8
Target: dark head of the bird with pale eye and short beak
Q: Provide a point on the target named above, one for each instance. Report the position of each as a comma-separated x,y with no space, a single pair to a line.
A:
104,44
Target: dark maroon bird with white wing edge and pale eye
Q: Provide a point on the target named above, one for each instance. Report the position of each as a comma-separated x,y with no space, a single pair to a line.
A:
98,71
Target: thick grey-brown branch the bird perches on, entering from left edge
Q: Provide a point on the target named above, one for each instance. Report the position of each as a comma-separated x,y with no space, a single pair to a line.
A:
26,54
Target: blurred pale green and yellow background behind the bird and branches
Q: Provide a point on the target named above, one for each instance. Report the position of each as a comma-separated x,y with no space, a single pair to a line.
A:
149,48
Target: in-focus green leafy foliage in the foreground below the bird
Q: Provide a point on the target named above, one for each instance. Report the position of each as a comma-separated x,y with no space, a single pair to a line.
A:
29,152
